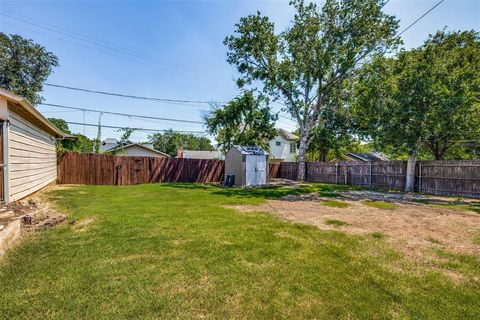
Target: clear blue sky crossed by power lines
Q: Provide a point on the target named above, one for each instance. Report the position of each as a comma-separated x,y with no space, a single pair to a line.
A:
175,51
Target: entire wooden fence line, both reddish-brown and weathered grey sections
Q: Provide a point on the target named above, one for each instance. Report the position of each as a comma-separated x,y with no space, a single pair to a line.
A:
452,178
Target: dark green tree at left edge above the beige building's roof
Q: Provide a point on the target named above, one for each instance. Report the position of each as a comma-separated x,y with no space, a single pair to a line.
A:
24,66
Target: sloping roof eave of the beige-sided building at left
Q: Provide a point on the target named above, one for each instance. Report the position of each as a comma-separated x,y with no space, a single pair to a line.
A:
24,108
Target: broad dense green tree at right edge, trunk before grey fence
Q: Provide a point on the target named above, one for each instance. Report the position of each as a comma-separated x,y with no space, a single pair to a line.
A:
427,97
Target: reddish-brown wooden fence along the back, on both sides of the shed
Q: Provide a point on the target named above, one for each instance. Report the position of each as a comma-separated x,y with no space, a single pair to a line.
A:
86,168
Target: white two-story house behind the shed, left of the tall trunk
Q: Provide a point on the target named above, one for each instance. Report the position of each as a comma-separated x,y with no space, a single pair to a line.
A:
283,147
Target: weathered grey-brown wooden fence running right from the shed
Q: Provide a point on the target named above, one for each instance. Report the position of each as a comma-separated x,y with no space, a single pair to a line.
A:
453,178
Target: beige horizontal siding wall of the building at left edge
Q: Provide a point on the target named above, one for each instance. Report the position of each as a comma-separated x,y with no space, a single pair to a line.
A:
32,156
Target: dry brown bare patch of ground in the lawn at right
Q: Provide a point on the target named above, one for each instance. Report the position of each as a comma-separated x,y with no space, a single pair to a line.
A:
412,228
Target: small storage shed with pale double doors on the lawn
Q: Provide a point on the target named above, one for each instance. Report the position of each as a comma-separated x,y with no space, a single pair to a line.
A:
249,165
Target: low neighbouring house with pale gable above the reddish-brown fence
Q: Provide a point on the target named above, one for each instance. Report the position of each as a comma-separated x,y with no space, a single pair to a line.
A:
114,147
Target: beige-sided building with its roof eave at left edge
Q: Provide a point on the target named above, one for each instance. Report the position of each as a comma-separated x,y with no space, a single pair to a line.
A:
27,153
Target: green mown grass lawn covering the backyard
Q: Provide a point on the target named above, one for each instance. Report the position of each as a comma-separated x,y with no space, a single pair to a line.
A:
182,251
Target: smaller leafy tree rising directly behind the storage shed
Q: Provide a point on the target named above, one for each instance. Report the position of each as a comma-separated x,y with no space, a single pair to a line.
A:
246,120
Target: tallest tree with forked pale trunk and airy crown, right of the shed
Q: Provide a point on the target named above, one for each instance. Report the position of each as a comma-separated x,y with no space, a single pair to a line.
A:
305,66
